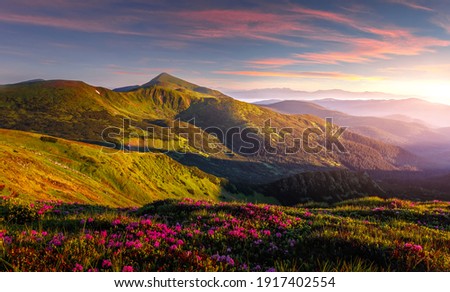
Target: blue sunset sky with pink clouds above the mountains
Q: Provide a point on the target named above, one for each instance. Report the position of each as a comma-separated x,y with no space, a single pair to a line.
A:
394,46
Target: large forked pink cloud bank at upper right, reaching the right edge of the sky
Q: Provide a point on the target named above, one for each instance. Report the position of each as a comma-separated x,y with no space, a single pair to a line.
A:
386,41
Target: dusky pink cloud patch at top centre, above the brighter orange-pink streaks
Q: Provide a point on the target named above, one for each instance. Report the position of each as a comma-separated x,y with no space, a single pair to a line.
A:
268,26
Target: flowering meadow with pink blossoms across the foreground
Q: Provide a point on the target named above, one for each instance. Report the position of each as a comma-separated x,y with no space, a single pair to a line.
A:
369,234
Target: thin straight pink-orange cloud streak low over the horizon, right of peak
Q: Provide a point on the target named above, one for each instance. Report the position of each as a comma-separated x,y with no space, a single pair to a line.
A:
311,75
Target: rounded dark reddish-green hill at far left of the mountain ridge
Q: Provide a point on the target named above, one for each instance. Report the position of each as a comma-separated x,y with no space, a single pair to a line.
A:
69,109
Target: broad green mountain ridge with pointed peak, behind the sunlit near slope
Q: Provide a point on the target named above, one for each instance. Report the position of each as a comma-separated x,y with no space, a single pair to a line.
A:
78,111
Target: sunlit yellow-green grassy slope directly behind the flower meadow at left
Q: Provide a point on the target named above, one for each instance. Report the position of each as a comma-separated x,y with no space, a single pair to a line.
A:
77,172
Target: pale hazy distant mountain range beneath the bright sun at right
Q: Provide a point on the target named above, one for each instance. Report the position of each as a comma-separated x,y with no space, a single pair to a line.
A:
377,104
